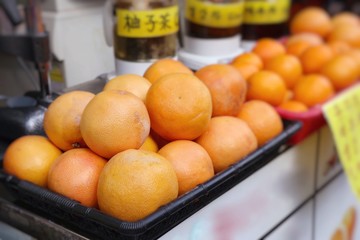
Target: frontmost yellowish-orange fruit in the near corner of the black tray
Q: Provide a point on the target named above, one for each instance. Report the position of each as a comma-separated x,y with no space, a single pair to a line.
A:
135,183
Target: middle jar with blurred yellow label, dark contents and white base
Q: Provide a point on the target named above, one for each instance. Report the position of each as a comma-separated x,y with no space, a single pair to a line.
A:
211,30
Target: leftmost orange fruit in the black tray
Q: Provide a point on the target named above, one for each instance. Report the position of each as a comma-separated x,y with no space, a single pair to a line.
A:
30,157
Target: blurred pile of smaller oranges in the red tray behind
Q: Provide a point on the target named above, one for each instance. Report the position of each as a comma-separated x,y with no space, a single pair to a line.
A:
319,58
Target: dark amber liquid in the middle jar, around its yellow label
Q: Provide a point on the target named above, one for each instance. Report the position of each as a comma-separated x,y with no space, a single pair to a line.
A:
200,31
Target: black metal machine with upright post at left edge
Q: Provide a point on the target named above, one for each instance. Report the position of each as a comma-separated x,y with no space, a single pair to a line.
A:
33,46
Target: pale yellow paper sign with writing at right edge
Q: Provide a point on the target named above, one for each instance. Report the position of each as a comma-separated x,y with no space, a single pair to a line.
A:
343,117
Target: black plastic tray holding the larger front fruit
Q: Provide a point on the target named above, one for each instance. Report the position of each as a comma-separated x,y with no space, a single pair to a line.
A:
95,224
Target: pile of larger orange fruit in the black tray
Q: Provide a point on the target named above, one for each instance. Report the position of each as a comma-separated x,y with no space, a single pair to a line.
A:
144,140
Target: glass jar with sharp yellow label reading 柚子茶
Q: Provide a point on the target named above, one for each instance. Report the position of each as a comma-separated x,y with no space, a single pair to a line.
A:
144,31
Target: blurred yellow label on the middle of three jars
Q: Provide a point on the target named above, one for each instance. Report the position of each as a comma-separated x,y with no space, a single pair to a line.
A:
218,15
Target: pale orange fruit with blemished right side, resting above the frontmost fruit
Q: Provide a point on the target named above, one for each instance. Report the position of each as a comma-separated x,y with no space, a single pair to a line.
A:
114,121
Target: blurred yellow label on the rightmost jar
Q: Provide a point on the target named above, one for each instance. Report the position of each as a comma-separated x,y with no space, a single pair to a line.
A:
266,11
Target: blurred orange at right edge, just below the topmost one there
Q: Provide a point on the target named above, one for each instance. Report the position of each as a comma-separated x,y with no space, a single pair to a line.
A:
346,33
